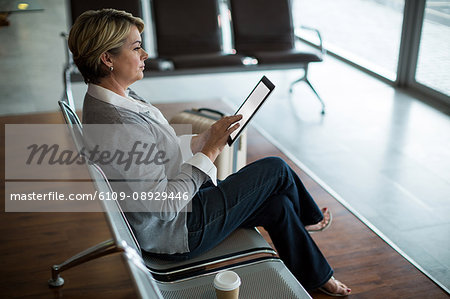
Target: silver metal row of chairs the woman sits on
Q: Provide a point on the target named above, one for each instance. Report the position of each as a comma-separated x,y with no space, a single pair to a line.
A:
245,251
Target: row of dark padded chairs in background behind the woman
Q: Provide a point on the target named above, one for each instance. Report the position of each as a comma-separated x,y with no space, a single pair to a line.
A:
188,36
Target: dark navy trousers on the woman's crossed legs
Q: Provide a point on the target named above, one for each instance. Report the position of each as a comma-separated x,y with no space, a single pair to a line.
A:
265,193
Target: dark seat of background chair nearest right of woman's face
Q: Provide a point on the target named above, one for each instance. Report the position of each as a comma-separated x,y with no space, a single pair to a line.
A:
207,60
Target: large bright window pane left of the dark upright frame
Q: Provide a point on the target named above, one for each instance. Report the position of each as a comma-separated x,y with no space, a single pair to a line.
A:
366,32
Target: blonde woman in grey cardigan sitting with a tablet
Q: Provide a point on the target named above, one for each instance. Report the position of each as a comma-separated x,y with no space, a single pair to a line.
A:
106,47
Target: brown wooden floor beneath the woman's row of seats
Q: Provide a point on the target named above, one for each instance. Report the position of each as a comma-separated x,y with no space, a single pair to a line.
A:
32,242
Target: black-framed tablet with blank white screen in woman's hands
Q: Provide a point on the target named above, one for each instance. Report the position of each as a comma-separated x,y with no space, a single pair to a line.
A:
253,102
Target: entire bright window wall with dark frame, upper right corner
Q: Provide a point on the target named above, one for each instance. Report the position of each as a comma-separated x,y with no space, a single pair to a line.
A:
368,34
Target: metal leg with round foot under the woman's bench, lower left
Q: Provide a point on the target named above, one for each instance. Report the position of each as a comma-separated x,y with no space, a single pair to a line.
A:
91,253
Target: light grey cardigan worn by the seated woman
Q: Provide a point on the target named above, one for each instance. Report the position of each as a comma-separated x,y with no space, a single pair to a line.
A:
160,226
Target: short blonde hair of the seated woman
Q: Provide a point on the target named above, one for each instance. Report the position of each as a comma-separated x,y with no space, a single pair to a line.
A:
97,32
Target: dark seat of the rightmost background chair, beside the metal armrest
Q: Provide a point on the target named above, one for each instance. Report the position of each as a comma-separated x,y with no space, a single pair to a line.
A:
290,56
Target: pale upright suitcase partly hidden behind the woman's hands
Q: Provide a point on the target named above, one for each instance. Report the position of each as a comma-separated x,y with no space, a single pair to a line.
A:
232,158
